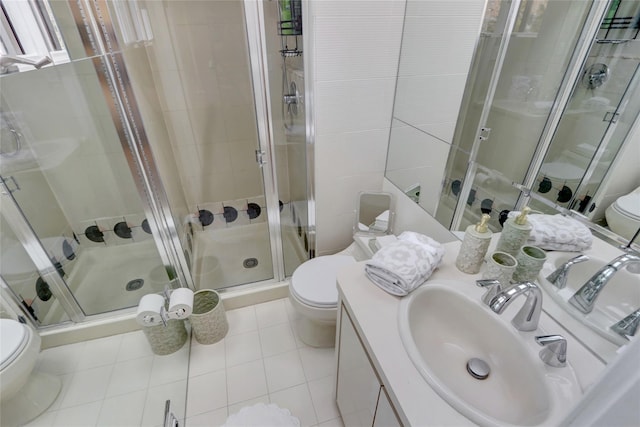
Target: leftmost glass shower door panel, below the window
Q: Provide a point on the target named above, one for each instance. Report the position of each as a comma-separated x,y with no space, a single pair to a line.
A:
70,178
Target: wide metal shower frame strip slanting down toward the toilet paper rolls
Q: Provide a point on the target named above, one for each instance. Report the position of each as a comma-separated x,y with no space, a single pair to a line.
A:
95,26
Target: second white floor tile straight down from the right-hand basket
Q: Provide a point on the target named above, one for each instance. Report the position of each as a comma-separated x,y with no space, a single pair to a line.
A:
206,392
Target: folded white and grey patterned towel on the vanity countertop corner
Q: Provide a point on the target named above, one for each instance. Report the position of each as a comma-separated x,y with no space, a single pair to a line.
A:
402,266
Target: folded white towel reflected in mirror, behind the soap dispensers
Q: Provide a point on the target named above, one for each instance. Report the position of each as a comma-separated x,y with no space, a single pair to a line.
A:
558,233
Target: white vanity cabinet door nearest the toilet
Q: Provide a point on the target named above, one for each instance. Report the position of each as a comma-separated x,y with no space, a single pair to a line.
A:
358,386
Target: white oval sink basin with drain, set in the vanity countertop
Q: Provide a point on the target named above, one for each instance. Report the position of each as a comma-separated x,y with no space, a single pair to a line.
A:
442,329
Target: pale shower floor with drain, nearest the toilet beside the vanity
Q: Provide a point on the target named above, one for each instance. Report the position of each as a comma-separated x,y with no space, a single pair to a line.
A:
239,255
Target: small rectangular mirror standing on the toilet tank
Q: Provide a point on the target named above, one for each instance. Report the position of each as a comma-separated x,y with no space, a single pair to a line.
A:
374,213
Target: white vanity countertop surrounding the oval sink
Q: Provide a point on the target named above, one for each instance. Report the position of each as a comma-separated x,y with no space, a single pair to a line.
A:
375,315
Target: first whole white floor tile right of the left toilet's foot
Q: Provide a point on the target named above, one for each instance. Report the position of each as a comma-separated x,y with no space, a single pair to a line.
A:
87,386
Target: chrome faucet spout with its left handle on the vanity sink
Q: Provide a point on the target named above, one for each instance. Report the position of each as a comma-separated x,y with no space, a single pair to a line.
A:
529,315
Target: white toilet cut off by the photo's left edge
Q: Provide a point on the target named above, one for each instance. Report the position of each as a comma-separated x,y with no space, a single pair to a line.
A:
24,393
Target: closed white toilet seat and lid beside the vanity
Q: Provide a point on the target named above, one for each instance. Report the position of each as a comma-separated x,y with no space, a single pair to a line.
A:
314,281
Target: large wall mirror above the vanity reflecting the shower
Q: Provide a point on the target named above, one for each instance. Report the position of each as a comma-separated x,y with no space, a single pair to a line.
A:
538,123
